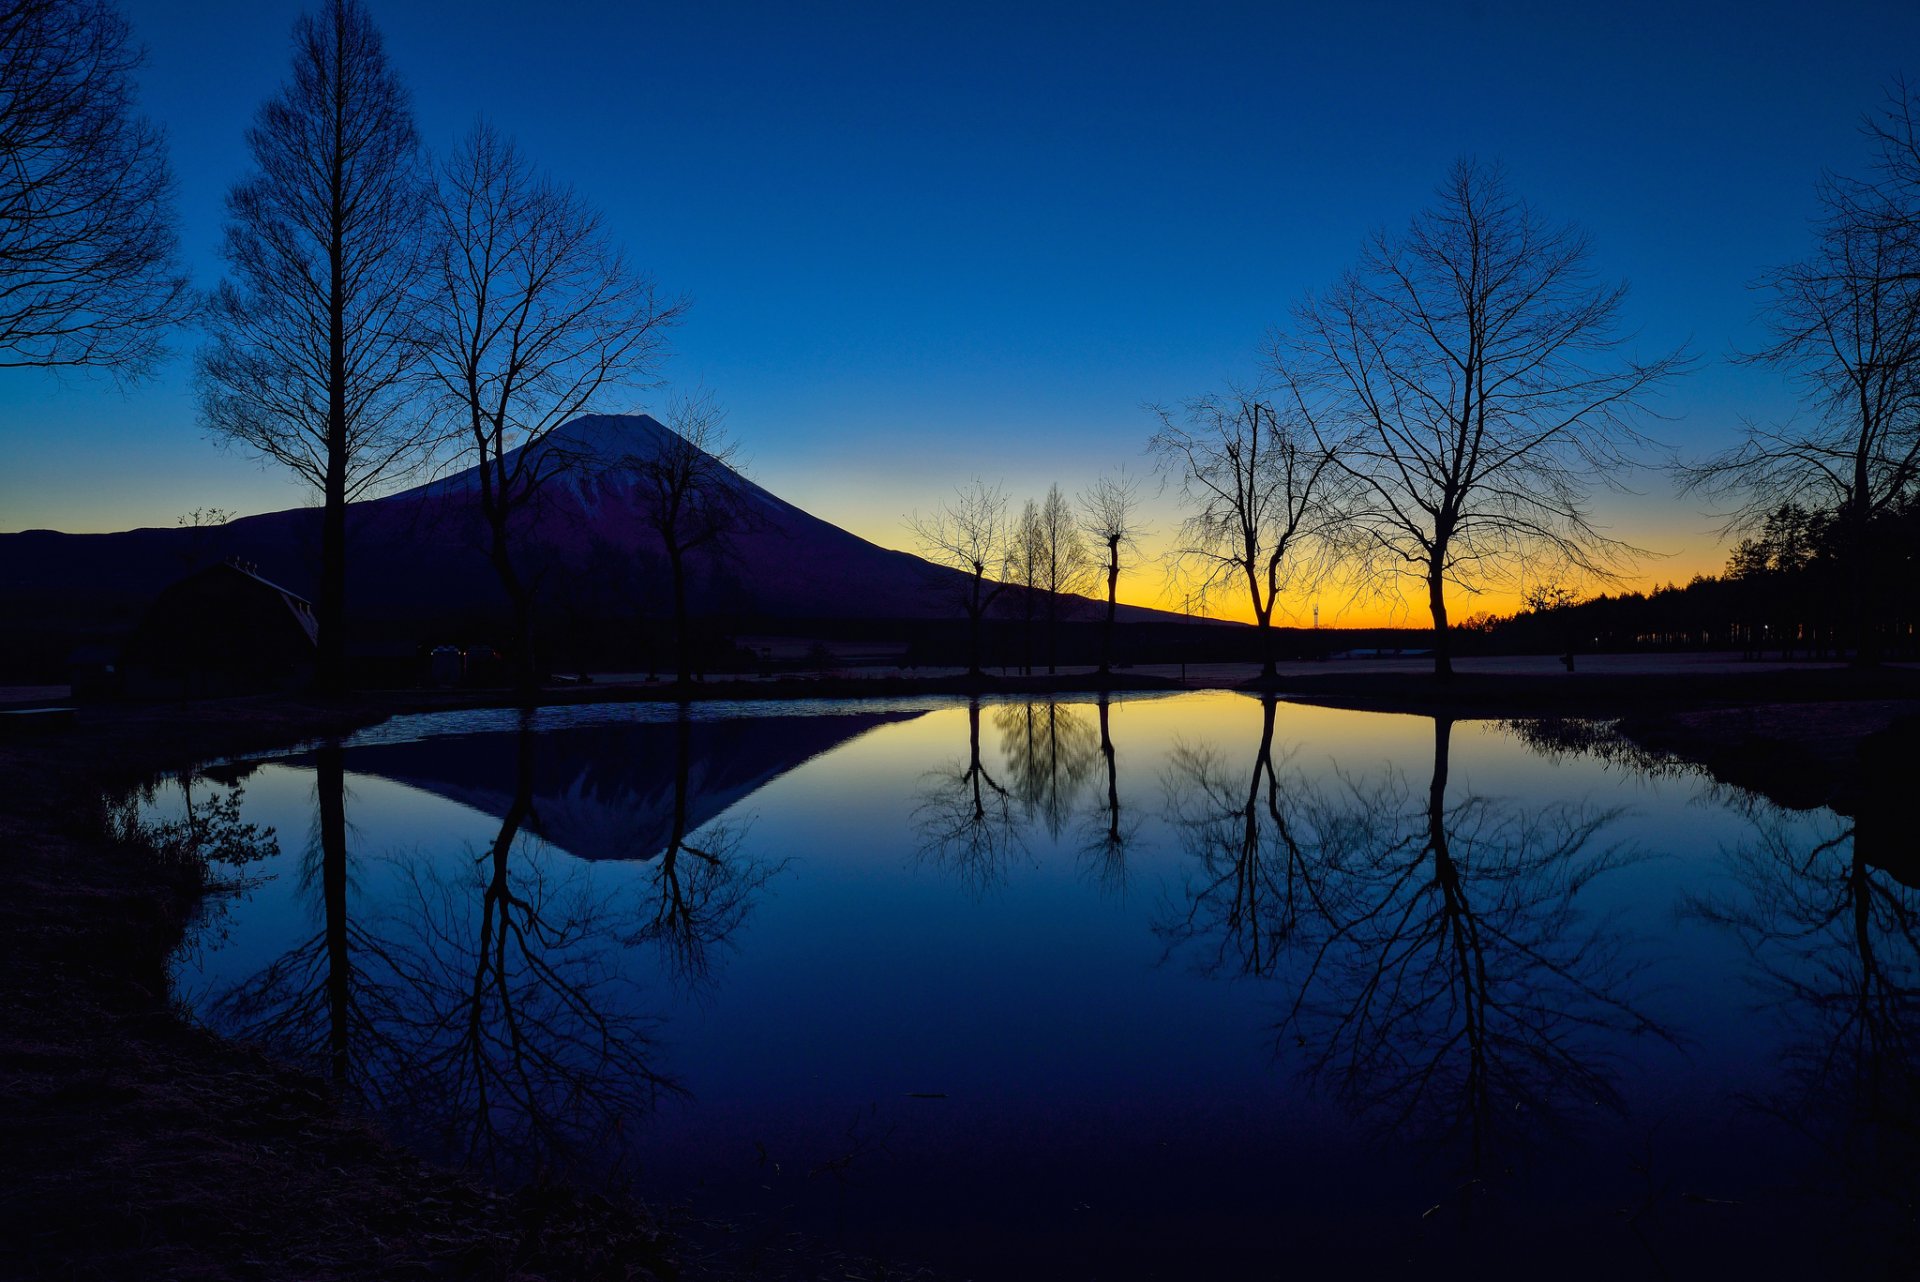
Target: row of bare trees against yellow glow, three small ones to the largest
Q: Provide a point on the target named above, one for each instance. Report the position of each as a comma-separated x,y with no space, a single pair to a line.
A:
1439,417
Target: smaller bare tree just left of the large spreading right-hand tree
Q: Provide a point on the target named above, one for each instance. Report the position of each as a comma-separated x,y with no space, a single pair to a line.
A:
1257,488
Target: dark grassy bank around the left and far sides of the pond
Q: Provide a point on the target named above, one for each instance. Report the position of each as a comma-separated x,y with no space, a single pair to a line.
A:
139,1147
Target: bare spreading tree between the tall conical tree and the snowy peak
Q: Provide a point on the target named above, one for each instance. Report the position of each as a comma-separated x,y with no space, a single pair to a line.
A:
535,316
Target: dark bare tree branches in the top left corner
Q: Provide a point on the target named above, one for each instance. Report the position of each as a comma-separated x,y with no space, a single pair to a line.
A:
89,258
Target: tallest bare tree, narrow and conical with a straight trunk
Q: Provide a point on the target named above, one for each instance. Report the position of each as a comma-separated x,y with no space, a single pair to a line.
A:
314,337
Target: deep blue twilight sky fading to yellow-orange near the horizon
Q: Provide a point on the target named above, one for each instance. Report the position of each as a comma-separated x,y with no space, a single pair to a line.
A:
932,243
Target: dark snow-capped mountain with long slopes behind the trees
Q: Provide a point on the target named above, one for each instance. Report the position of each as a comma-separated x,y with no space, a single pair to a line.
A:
418,554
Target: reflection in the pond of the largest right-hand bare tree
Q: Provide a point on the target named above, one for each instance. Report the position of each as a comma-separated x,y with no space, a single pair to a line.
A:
1464,985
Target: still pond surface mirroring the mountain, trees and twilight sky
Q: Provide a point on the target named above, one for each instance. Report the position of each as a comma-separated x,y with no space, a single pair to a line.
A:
1161,987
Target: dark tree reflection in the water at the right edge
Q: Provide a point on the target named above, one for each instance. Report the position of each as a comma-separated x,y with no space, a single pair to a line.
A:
1831,920
